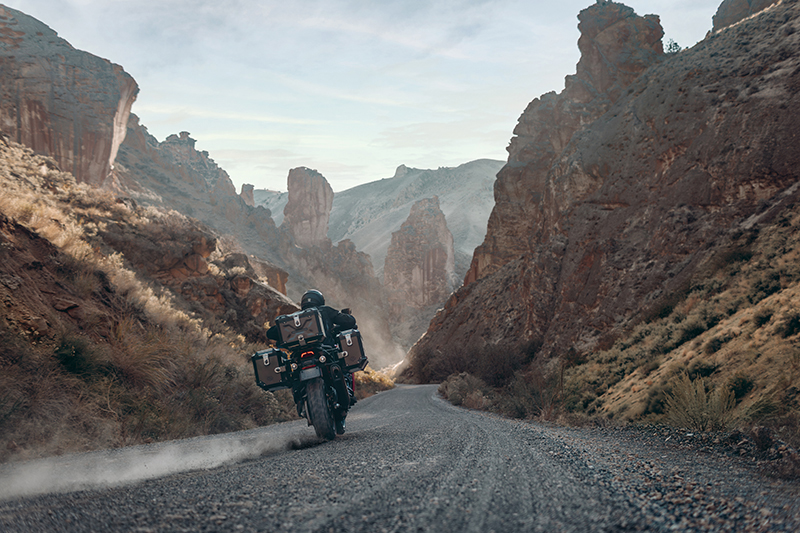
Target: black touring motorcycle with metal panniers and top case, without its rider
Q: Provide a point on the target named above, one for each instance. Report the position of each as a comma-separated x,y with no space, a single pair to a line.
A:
315,371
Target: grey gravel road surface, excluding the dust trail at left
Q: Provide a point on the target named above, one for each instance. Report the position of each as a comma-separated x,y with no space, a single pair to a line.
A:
408,462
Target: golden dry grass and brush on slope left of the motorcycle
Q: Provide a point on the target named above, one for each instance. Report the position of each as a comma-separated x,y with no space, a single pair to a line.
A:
142,369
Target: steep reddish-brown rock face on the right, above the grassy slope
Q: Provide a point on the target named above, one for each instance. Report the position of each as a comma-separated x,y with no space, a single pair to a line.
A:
608,206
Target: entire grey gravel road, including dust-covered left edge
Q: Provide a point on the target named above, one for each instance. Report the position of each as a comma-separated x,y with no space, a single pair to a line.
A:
408,462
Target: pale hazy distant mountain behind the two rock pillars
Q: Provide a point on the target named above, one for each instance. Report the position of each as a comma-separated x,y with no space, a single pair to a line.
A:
369,213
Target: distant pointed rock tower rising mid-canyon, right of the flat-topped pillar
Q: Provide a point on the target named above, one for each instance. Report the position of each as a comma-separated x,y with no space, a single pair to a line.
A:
419,264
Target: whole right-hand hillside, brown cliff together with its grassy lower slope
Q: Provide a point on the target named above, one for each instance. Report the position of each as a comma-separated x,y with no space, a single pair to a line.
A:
626,197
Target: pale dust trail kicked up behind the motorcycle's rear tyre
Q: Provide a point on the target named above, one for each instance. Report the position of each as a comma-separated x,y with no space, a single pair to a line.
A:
111,468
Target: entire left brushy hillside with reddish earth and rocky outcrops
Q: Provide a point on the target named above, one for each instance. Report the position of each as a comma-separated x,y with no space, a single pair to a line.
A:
98,351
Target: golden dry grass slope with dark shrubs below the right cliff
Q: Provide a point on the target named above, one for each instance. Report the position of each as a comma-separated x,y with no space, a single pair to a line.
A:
736,330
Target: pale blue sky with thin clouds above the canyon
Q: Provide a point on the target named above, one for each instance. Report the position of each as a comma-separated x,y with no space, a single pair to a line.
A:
350,88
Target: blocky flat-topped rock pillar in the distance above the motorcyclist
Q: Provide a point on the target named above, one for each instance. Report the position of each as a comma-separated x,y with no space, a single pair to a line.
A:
309,207
